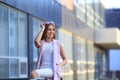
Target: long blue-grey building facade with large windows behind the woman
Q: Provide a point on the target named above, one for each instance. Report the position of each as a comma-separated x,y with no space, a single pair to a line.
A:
20,25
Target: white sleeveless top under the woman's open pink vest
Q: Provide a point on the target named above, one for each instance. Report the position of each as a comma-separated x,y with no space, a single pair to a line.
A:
47,55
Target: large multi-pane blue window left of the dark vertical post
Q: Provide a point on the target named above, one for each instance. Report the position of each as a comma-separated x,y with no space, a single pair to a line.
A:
14,43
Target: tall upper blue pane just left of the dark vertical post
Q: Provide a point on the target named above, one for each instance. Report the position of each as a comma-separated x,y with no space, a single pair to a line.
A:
22,33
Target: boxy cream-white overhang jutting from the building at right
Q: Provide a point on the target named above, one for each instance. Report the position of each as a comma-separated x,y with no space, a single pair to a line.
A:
108,38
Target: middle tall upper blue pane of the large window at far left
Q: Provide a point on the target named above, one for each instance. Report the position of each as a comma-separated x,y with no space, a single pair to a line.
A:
13,36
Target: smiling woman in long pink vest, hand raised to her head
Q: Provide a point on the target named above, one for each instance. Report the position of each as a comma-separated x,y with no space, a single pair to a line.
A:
50,51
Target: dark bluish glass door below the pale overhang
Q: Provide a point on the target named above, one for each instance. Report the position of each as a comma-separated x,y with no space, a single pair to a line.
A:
100,64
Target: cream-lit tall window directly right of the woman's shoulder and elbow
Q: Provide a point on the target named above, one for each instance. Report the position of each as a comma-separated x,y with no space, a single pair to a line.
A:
65,38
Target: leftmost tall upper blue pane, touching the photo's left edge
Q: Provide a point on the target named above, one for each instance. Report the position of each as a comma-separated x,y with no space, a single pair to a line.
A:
3,31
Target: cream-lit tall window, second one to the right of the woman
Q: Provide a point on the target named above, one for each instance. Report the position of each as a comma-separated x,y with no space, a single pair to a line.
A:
80,56
